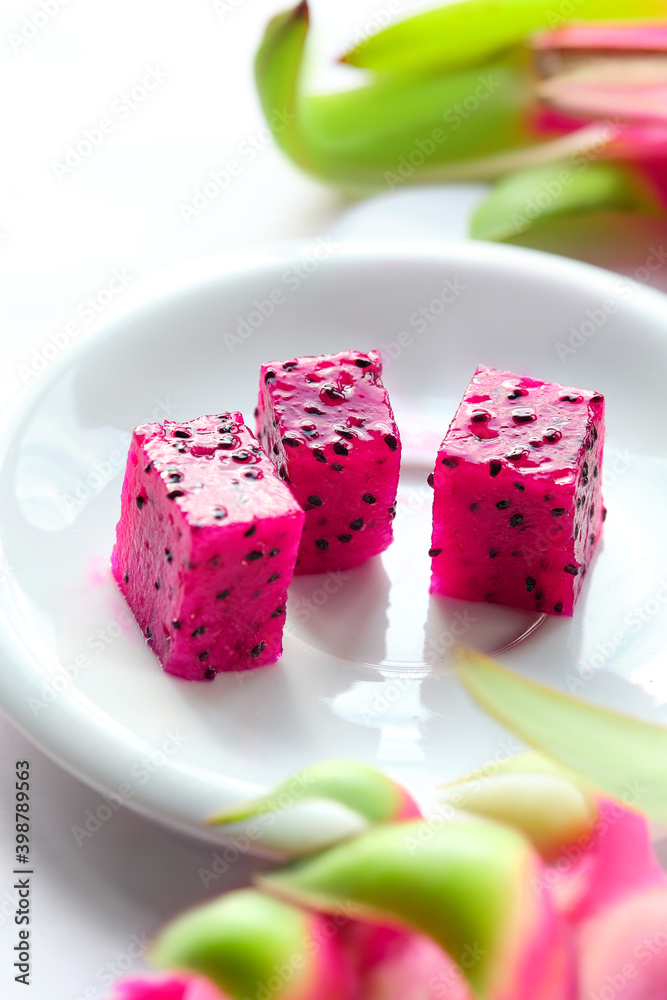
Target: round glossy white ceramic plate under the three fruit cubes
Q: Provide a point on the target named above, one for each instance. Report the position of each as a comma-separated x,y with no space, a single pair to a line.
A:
365,673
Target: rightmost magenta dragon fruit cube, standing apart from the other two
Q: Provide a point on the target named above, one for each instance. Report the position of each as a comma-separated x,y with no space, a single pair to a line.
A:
518,504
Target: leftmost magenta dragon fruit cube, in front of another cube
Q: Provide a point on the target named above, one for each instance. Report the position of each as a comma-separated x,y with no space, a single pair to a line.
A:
206,545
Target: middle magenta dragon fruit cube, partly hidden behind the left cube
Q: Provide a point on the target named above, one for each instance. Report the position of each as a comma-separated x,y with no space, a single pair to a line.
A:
327,424
